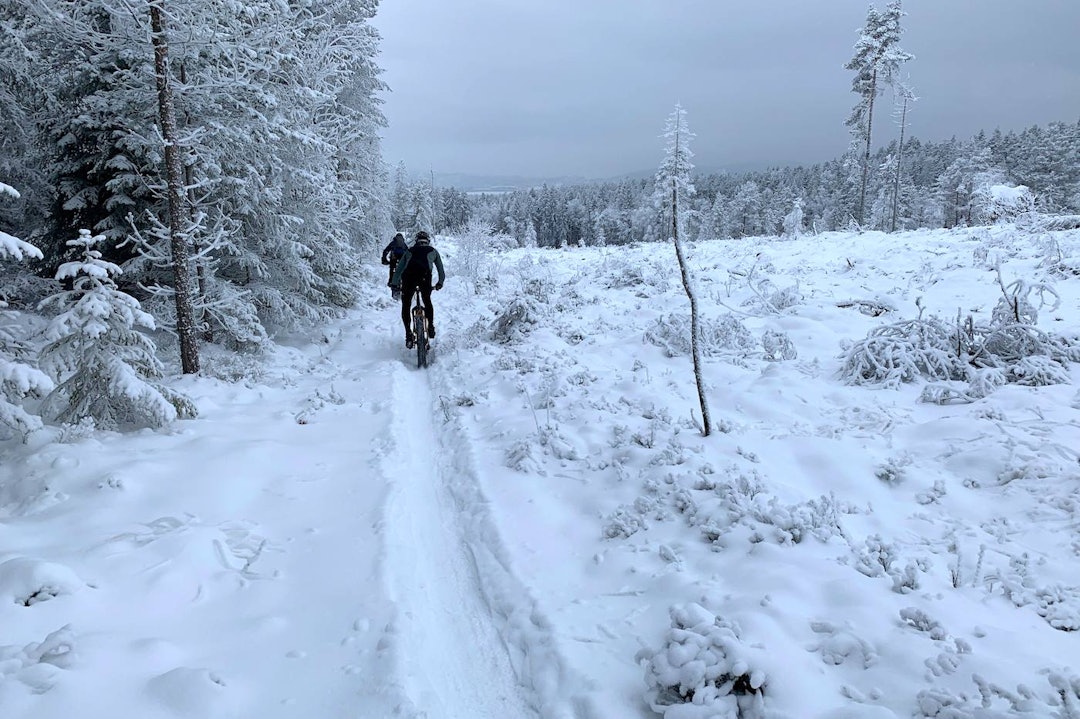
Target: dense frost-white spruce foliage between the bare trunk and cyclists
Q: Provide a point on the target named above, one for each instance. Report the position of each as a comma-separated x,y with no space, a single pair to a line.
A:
286,99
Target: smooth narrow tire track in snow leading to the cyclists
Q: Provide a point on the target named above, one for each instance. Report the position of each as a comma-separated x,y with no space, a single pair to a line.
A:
453,661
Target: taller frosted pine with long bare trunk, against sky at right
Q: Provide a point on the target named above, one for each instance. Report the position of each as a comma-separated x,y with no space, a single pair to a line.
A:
876,64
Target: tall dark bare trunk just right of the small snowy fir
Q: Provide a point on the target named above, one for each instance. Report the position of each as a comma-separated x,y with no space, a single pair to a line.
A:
174,181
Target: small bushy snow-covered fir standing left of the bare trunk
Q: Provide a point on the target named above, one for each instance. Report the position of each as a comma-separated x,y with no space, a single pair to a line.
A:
105,367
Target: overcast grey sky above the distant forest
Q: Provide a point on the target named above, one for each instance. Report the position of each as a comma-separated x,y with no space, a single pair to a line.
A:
548,88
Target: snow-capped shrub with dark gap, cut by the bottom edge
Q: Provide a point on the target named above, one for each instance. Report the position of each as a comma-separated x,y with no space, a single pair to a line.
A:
705,671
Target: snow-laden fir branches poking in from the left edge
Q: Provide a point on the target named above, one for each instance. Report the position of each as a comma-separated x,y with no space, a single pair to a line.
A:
18,379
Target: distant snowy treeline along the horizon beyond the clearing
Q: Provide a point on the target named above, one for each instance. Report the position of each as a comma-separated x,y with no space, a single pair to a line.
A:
938,185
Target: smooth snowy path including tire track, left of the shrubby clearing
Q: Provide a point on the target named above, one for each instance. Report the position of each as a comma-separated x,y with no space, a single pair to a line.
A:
291,553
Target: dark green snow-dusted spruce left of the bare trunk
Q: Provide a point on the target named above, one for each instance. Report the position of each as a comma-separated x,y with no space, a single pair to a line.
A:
93,114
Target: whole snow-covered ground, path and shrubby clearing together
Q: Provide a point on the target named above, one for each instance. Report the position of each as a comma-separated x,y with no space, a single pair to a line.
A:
514,532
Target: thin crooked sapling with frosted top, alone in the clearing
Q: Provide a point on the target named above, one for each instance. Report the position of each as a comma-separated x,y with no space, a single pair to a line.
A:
673,183
